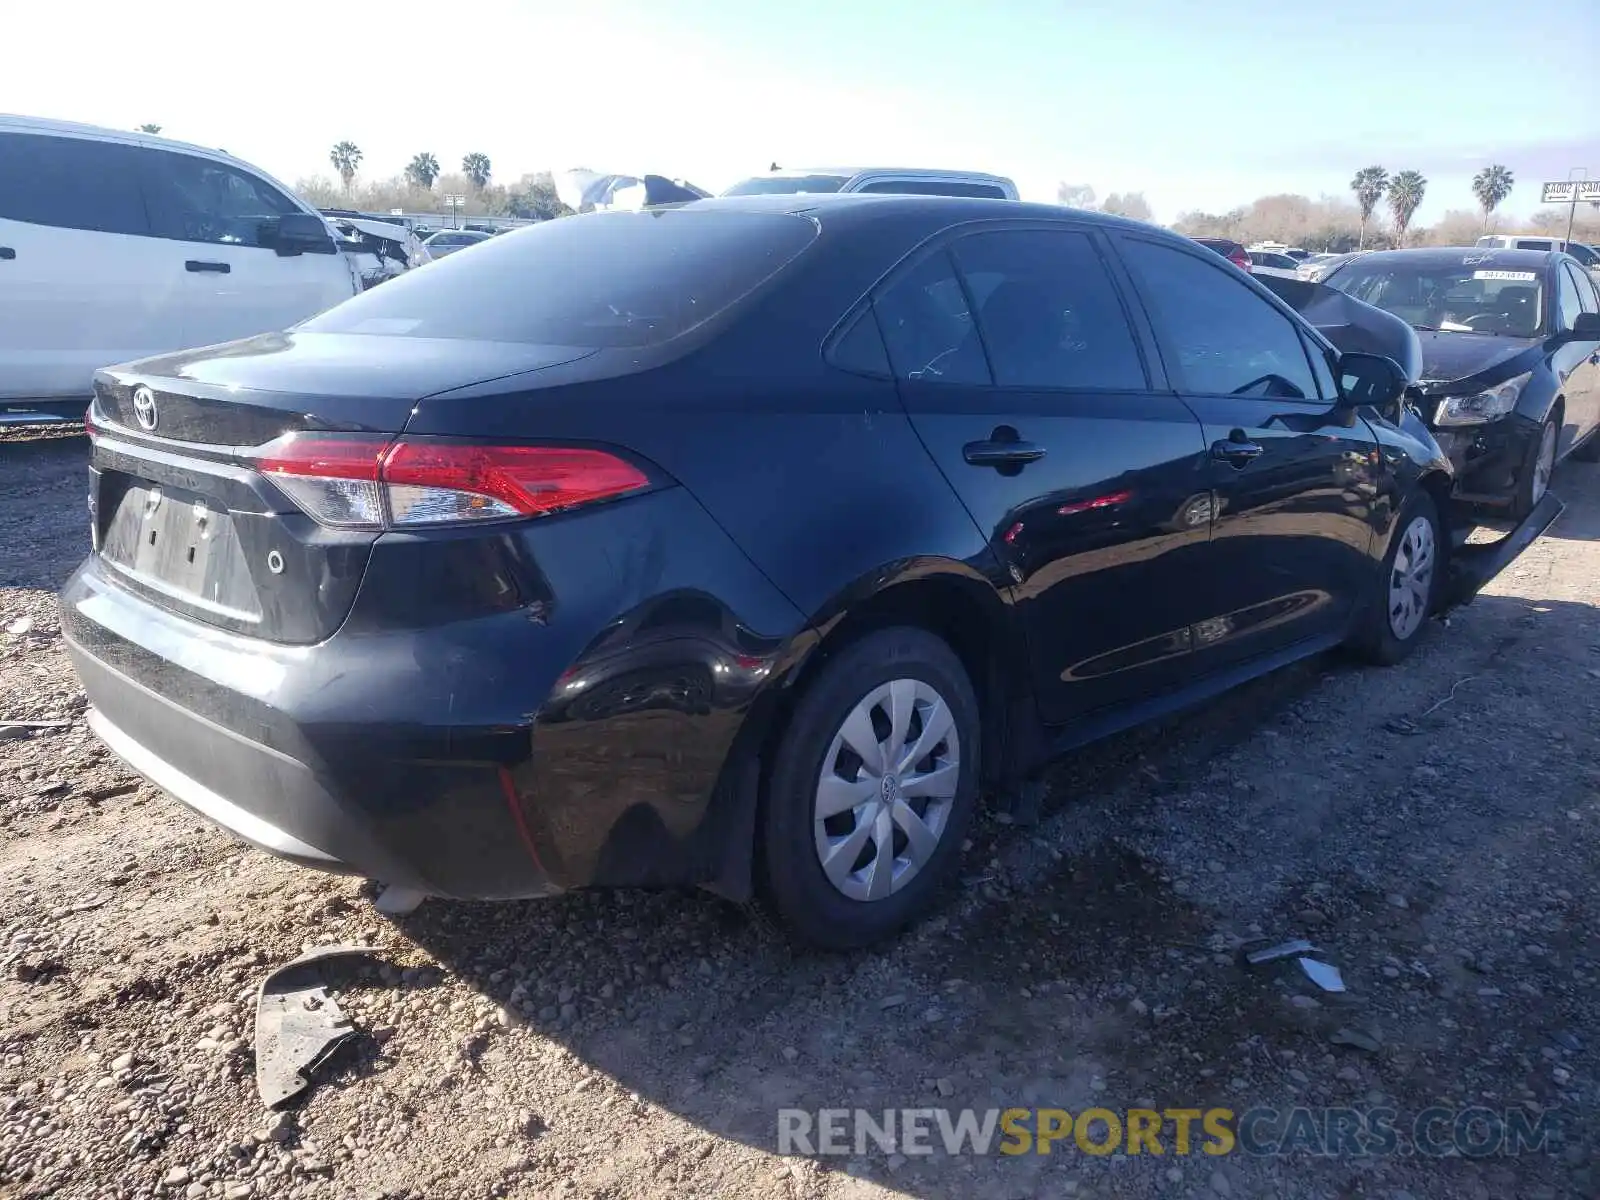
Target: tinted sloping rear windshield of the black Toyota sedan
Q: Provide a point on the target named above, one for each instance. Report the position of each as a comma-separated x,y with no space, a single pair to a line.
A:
594,281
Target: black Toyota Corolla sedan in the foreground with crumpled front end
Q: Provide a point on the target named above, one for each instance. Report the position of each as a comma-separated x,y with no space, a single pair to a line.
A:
738,545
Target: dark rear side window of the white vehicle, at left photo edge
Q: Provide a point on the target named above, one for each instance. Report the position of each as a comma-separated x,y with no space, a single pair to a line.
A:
71,183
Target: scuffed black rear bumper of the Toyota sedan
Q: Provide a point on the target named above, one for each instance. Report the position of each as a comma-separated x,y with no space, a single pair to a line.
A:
572,738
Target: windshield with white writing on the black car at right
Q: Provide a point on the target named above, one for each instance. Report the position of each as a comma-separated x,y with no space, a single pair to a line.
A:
1463,297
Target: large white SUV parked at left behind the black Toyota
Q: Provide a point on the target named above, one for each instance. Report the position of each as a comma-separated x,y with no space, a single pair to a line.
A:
121,246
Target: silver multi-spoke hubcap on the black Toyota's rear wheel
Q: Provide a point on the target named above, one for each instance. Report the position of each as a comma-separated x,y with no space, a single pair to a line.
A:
887,786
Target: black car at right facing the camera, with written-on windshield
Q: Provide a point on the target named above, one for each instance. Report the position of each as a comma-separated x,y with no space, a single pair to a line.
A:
1511,359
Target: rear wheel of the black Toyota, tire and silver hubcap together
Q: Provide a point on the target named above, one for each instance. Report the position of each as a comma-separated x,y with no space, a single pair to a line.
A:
873,790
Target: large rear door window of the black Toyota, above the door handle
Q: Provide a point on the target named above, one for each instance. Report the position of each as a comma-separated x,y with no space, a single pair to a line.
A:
1047,310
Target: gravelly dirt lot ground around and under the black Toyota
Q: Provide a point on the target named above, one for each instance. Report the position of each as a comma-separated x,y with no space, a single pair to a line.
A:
1434,828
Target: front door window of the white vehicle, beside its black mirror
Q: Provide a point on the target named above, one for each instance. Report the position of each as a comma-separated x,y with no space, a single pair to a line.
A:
201,201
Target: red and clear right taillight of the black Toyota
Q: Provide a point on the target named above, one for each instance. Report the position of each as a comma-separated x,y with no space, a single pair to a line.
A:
364,482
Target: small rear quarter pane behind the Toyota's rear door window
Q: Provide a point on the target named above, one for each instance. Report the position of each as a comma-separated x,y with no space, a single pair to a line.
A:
929,329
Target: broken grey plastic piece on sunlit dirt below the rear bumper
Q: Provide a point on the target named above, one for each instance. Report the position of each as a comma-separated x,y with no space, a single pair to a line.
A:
298,1025
